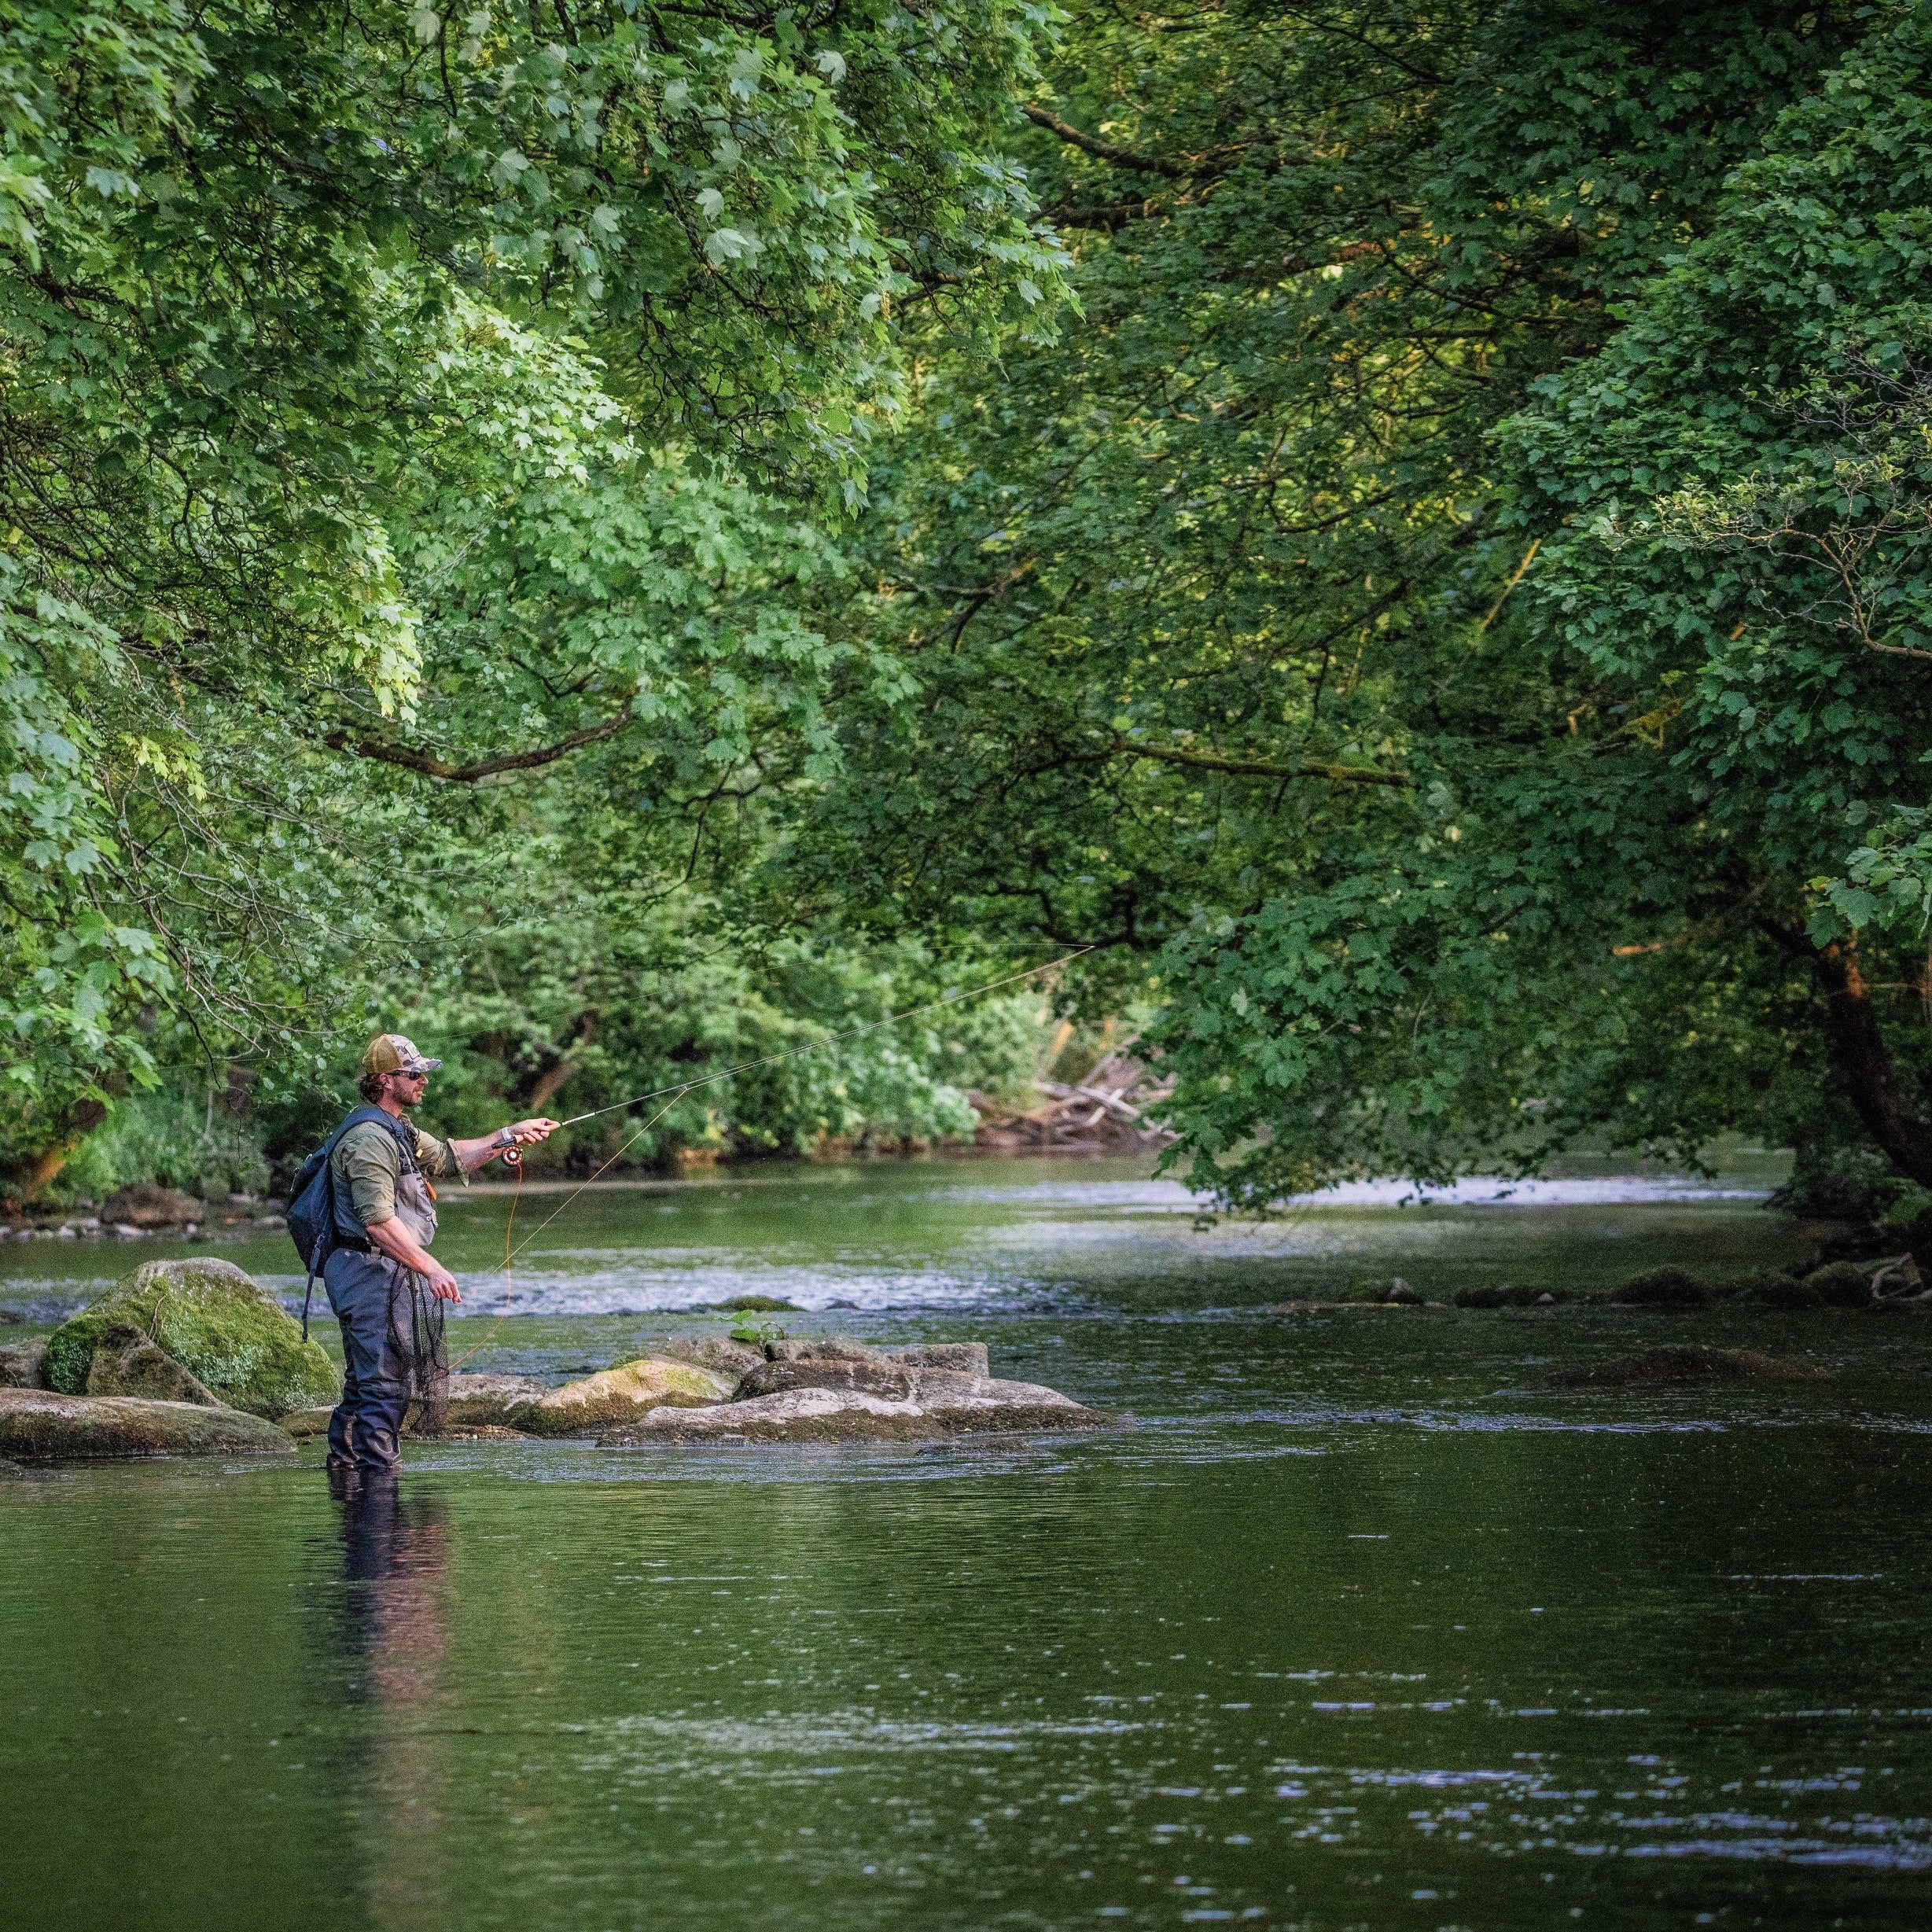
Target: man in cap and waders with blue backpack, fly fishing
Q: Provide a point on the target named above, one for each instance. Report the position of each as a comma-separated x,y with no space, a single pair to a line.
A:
364,1214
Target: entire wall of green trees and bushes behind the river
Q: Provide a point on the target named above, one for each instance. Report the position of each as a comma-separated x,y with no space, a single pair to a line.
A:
629,540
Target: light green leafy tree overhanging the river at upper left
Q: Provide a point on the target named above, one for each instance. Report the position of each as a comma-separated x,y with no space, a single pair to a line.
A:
279,287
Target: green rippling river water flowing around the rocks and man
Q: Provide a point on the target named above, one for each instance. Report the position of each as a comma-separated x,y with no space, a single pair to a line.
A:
1348,1624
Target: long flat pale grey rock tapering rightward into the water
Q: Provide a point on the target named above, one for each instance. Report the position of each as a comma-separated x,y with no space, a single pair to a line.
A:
936,1404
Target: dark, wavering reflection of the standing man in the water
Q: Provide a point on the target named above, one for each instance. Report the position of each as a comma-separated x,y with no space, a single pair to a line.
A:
395,1632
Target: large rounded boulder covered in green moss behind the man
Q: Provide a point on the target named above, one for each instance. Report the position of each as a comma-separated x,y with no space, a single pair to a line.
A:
212,1319
